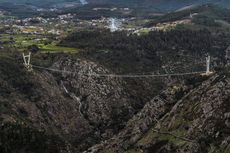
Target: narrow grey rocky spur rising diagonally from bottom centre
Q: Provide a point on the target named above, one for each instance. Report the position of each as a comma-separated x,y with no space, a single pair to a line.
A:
134,128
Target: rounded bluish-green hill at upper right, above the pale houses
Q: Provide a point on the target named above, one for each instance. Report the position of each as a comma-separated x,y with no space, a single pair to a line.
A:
208,15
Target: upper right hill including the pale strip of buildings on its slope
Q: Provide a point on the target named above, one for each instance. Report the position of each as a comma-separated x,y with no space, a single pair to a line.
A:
209,16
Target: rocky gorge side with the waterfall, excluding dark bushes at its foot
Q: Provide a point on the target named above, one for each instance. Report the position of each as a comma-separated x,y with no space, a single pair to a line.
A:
79,108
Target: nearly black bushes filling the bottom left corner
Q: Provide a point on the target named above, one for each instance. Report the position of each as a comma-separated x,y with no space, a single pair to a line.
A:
15,136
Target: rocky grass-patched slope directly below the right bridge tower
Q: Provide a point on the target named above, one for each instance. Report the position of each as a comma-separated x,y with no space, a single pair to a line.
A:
196,123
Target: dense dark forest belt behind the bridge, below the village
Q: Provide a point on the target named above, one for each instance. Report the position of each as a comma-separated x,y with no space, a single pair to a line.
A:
141,53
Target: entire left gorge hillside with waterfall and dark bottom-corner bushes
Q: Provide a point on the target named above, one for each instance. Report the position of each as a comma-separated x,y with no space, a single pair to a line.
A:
75,110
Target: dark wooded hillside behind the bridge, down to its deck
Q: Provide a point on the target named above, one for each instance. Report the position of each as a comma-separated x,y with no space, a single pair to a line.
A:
155,52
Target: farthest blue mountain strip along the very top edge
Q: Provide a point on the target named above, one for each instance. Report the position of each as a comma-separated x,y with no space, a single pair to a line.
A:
166,5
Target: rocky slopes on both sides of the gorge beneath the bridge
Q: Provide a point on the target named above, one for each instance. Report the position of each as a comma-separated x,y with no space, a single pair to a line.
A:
47,111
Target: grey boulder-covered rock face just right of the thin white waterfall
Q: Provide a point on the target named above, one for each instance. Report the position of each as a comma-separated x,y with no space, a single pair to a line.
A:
104,101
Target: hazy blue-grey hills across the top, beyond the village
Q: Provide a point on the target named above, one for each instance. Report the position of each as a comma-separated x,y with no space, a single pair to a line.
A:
174,10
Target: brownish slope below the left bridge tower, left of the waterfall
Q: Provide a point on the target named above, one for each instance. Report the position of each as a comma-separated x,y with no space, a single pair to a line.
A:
36,100
